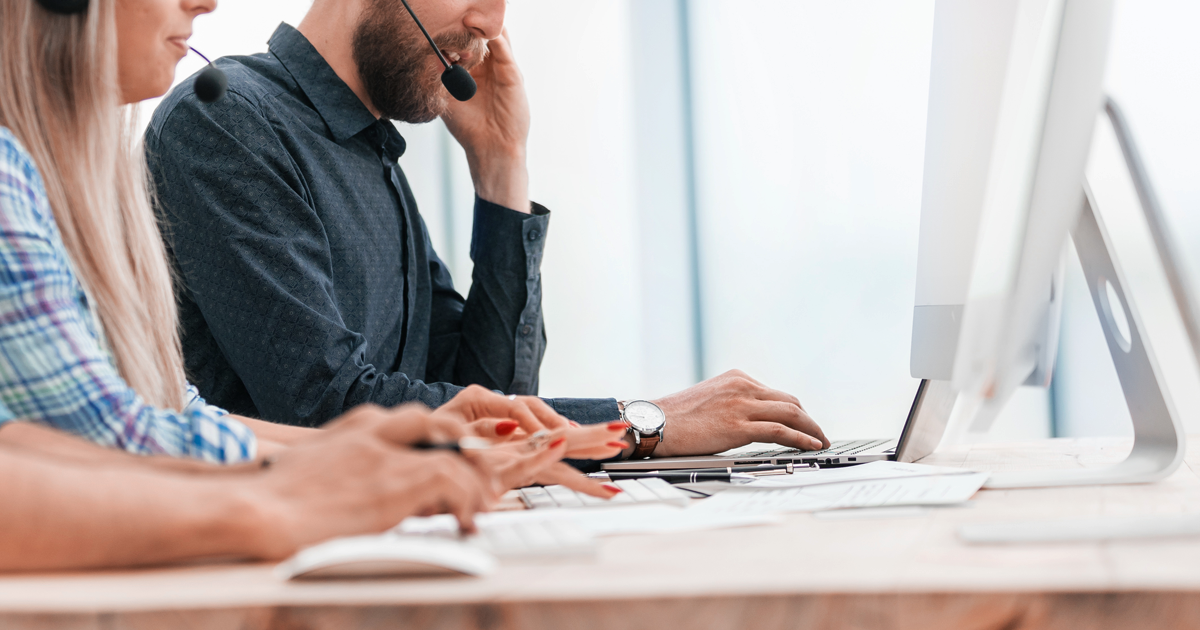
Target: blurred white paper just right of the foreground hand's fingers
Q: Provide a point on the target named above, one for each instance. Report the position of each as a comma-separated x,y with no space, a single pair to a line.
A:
599,521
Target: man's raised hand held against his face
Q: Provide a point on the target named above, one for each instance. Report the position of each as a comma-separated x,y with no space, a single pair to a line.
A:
494,127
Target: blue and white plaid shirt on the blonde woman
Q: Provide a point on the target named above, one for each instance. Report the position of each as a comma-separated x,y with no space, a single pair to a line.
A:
55,364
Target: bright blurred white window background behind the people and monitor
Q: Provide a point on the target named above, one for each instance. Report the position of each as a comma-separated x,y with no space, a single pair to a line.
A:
737,184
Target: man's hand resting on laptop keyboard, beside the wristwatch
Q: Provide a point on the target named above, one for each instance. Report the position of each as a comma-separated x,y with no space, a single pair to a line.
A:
731,411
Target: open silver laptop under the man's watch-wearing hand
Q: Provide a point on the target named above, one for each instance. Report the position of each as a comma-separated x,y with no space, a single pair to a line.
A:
922,431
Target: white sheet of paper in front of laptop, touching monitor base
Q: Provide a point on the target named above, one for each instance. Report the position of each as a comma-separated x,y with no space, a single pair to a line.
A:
931,490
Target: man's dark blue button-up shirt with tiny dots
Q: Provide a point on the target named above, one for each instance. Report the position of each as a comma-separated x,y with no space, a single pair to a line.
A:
308,281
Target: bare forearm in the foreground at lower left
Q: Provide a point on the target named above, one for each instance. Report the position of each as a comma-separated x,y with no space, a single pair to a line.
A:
69,517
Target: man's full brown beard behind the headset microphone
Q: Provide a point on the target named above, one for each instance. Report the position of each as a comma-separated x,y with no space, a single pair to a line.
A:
394,63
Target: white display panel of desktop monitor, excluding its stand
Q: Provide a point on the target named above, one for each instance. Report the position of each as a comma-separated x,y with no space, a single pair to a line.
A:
1015,91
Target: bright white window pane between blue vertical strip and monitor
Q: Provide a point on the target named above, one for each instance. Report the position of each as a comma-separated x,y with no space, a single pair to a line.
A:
812,123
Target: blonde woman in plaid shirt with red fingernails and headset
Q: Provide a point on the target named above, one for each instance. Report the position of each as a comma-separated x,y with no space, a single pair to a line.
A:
89,339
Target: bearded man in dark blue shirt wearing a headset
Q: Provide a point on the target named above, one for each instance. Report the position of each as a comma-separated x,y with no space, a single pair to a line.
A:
308,280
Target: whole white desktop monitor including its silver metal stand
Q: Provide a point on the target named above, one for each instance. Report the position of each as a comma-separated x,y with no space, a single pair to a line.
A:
1016,89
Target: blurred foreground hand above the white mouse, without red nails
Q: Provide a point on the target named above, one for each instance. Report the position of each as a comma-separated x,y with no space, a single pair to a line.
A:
361,477
